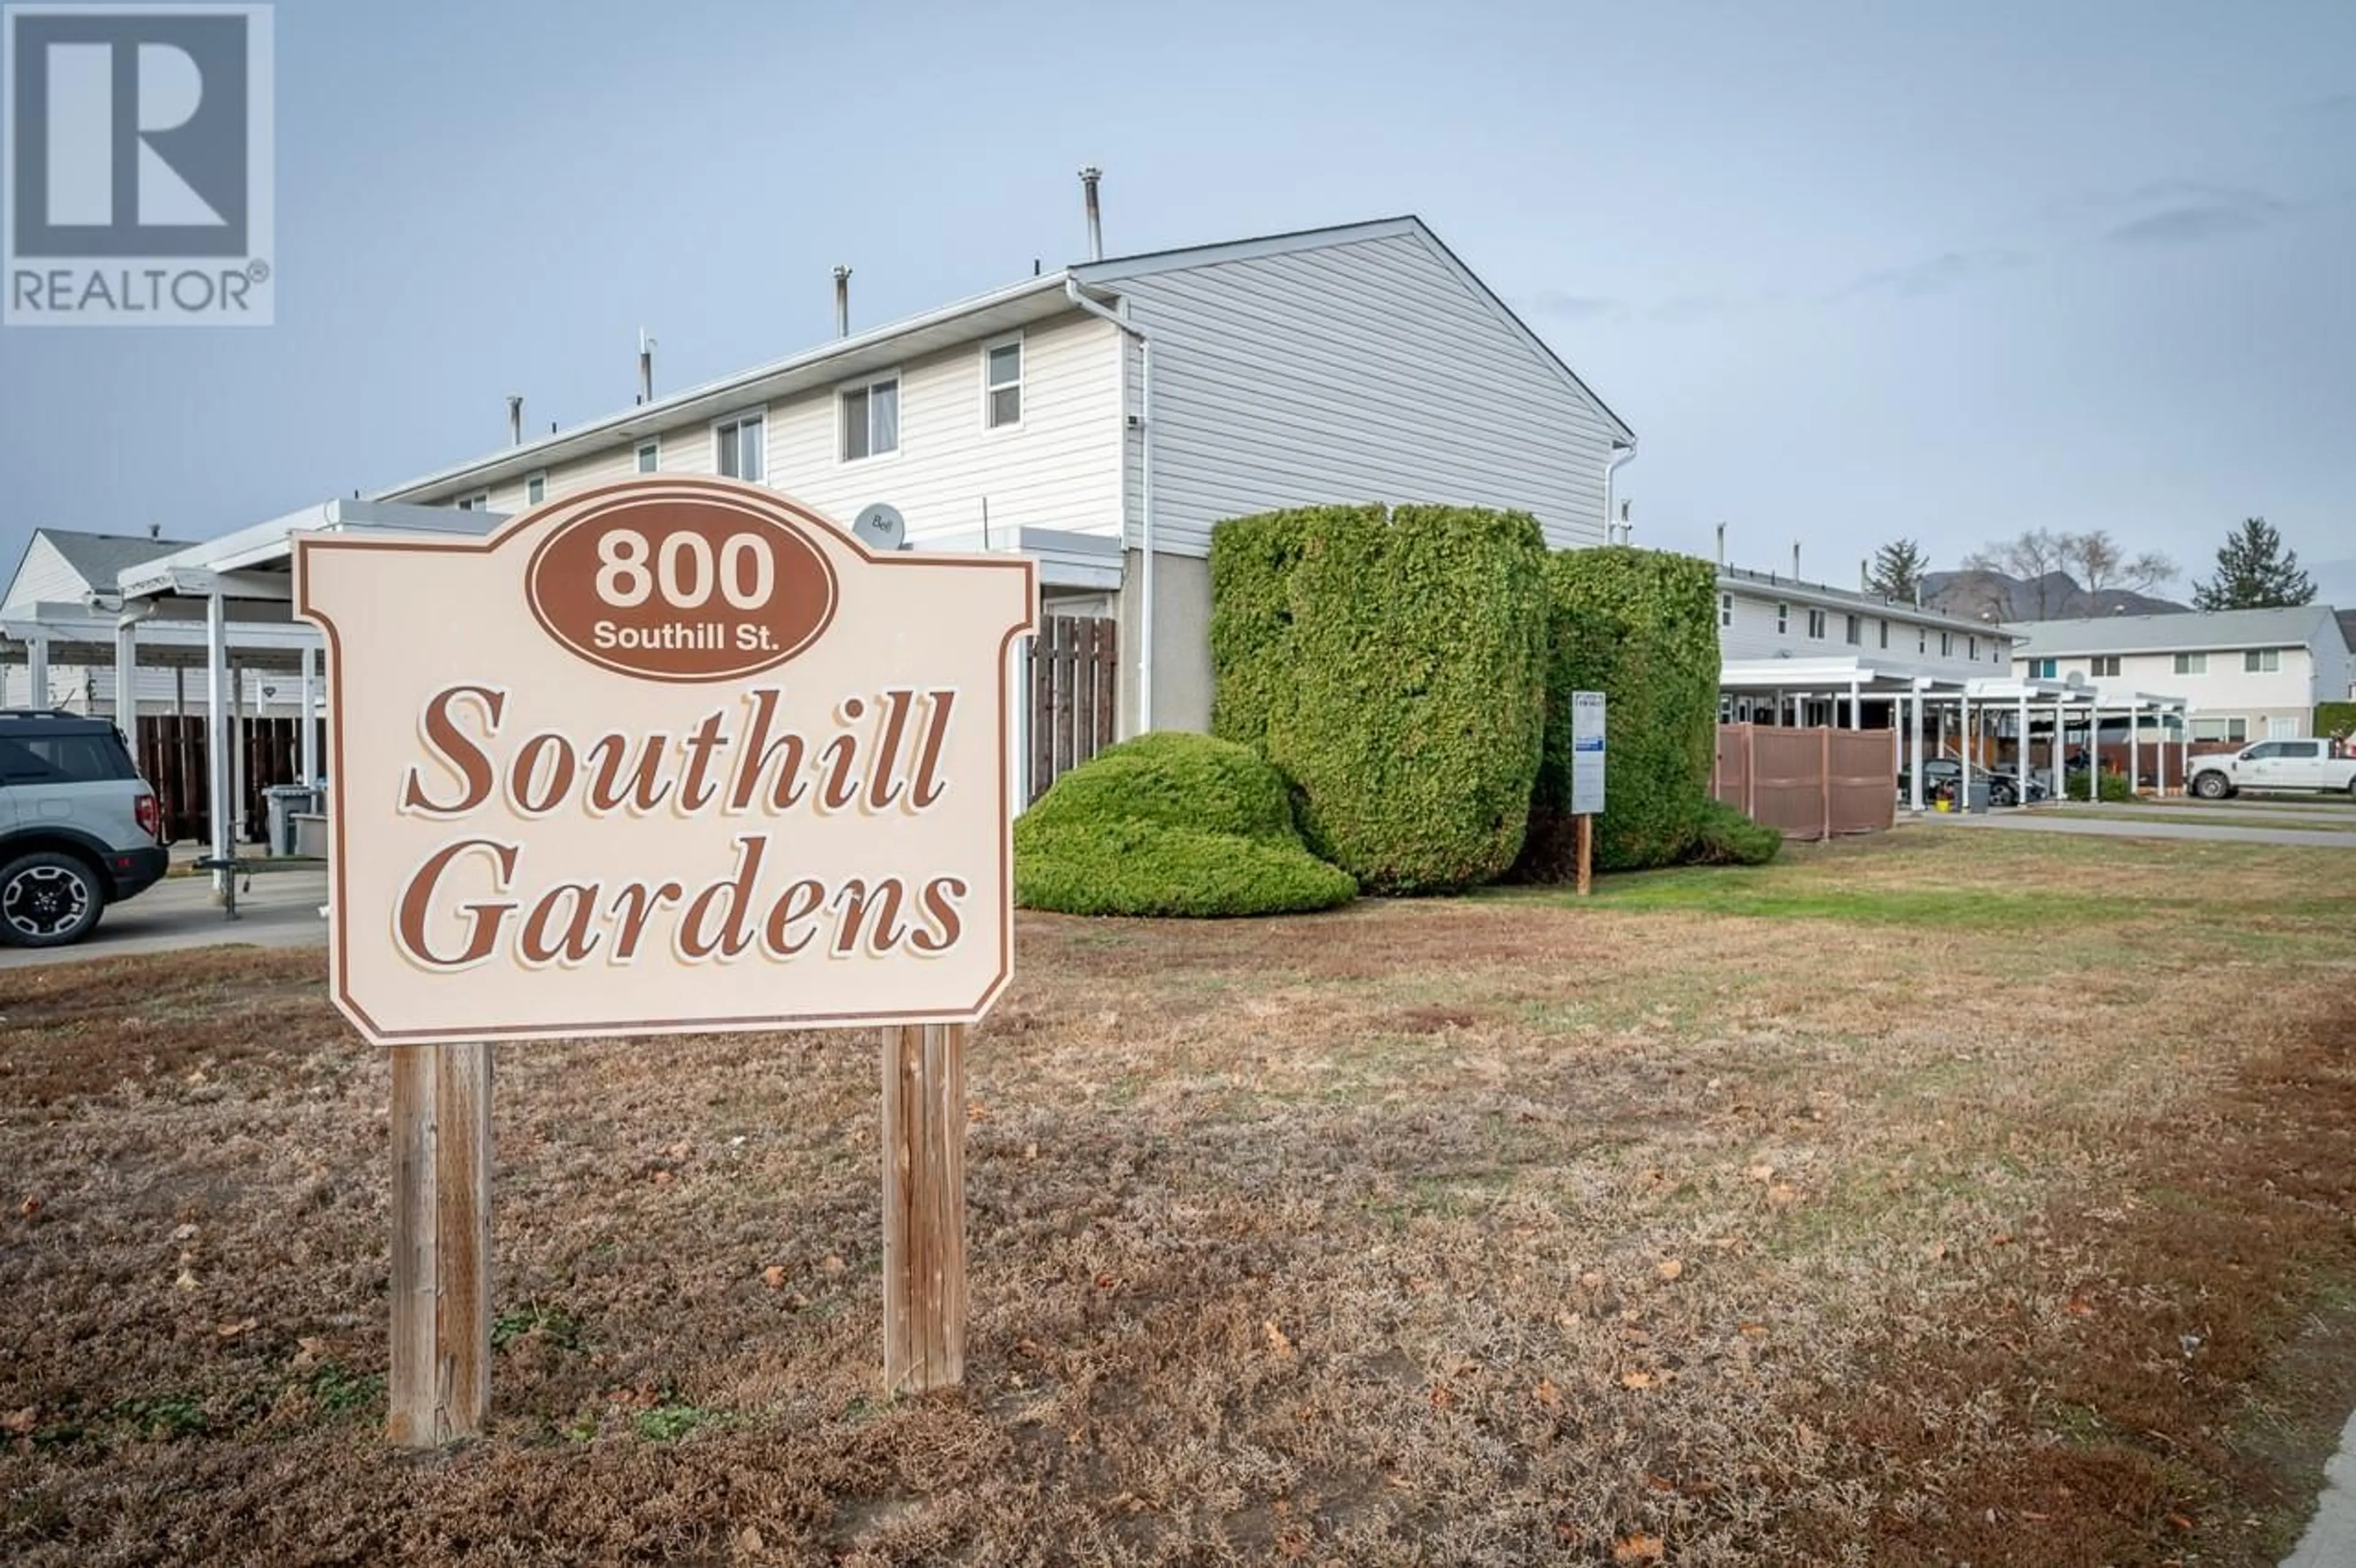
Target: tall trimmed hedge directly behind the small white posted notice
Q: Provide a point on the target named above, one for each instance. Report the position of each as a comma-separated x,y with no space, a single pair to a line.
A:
1641,627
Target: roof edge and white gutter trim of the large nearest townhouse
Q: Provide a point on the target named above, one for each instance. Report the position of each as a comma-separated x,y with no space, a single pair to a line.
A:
946,328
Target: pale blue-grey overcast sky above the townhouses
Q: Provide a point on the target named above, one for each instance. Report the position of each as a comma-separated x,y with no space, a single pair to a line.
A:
1853,272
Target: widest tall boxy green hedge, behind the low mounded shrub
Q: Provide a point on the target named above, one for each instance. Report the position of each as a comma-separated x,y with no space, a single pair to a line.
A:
1391,670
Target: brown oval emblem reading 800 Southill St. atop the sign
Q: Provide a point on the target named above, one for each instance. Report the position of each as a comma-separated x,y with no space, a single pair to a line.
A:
682,590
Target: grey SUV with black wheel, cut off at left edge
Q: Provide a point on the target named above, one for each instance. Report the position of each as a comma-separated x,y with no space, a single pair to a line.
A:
77,828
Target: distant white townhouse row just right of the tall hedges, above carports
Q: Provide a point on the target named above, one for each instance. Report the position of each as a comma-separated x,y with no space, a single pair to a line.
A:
1808,656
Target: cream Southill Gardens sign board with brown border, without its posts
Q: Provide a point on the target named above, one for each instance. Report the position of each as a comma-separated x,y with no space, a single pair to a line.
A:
666,757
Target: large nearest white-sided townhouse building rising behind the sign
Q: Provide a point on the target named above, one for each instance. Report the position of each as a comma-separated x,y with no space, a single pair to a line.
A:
1108,416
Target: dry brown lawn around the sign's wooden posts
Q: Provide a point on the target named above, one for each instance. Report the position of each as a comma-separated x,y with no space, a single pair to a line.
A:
1914,1202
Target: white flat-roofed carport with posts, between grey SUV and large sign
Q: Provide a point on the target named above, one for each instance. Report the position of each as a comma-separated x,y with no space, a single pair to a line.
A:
241,592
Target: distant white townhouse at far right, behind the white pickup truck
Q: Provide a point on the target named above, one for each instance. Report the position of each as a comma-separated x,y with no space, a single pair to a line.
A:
2249,675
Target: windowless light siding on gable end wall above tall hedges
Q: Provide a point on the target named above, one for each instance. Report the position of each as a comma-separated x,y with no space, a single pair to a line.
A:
1361,371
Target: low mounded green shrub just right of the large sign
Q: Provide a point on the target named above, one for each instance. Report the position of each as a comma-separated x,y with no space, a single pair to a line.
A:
1170,825
